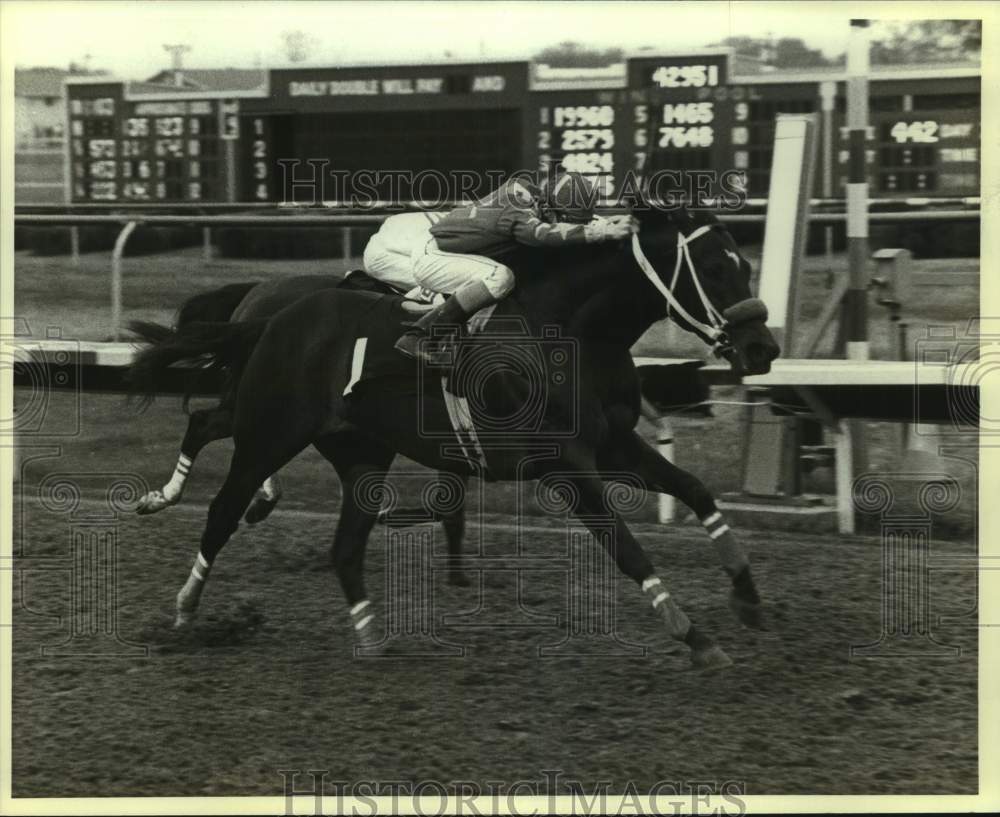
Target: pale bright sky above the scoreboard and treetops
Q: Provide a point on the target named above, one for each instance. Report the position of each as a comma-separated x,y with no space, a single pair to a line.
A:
127,38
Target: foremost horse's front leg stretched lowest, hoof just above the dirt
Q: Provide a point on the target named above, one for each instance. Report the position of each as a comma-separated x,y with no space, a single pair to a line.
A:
589,504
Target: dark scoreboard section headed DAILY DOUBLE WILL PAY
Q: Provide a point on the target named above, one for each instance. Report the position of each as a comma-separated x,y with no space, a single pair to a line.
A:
394,133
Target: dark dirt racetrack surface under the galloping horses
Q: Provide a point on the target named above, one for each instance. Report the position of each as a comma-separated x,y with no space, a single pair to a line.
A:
266,680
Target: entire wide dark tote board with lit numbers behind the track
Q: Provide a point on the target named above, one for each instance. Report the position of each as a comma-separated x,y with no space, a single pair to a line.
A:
652,115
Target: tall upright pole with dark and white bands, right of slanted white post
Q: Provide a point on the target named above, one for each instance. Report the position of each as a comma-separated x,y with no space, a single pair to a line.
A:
856,299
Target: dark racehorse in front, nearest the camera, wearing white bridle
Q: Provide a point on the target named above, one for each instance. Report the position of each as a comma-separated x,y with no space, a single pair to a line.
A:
603,297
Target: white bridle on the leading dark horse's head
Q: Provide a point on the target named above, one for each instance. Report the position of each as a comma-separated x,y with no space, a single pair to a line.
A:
715,330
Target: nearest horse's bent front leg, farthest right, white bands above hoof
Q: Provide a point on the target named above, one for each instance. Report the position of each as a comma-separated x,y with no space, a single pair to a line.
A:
635,455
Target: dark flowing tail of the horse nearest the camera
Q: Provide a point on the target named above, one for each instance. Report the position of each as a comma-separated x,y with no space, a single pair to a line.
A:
207,347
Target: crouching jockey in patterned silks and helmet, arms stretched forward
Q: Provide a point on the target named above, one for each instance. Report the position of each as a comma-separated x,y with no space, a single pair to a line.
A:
464,255
